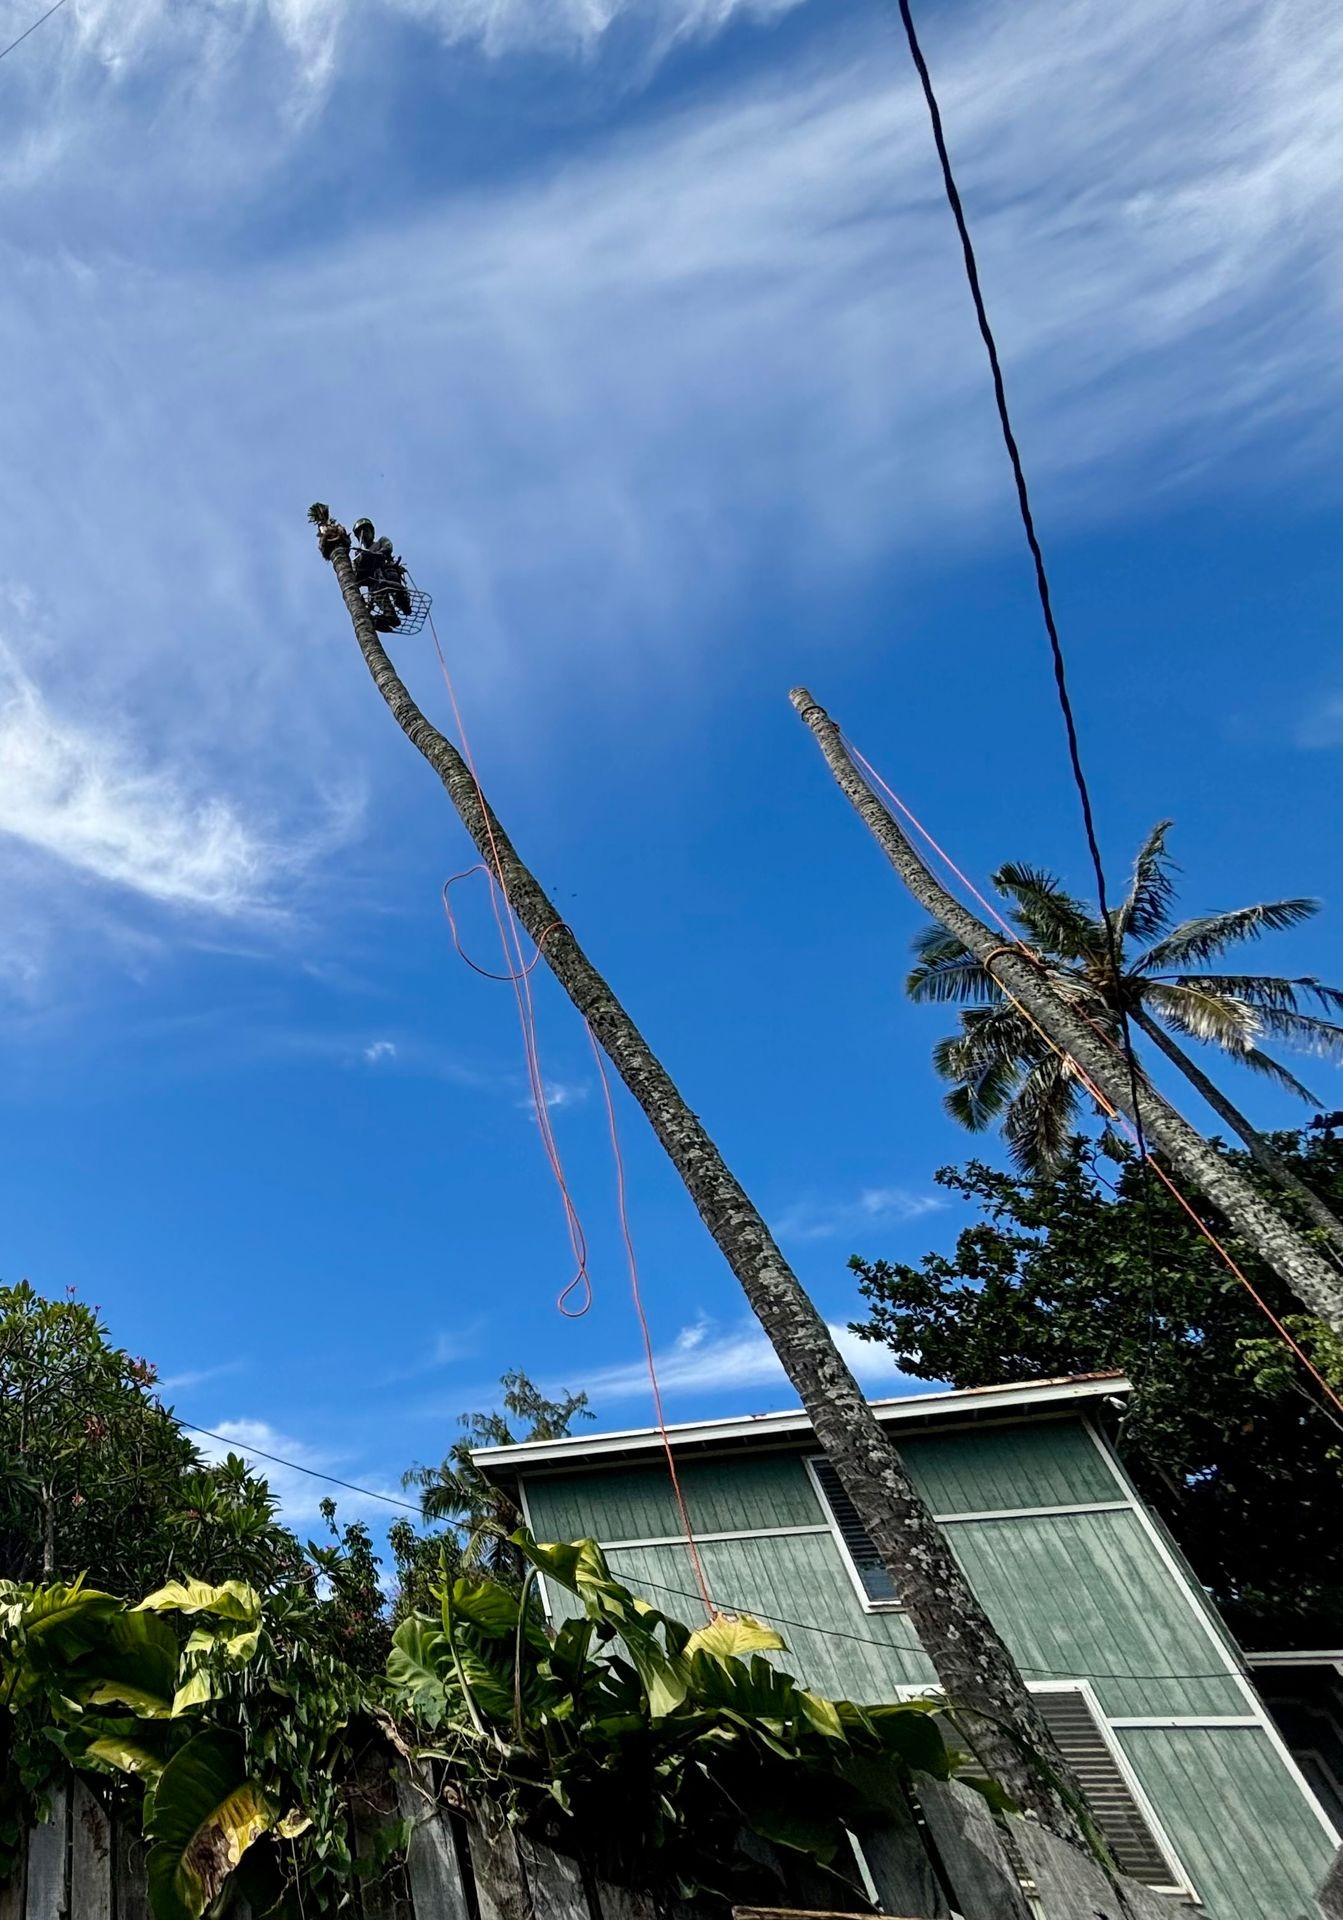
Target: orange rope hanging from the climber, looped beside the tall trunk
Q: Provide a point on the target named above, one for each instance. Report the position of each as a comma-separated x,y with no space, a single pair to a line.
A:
518,971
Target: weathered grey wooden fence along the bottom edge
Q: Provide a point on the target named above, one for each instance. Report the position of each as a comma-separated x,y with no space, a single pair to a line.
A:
946,1858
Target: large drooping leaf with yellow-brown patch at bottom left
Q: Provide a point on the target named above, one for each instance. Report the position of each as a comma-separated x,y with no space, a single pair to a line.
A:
207,1815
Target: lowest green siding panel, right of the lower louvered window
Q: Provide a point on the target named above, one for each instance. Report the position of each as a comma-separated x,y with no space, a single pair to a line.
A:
1238,1821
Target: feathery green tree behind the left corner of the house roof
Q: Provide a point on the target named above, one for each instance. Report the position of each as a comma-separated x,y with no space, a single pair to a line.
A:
479,1518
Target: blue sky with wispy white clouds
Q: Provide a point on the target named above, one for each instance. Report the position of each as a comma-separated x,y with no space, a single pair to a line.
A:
641,327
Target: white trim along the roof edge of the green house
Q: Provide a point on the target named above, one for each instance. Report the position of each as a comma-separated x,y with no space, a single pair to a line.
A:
946,1403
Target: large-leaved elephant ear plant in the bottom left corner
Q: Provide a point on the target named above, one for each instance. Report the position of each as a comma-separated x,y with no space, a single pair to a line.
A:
216,1714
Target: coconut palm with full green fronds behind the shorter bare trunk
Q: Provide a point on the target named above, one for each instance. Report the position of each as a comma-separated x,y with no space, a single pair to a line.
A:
1004,1070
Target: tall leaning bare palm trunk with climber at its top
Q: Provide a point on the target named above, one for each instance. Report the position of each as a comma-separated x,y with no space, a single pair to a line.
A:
964,1646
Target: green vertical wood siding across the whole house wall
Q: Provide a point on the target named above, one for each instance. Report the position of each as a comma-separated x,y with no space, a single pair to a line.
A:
1075,1596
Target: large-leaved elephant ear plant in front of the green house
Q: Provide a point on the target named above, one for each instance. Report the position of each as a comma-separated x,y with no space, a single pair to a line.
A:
648,1748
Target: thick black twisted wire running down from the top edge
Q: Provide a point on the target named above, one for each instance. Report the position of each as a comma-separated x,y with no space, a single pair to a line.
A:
1046,606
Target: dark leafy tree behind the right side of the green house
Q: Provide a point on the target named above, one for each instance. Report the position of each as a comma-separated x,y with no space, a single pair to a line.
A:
1083,1272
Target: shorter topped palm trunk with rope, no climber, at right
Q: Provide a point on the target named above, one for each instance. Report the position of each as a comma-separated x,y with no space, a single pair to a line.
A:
1263,1228
